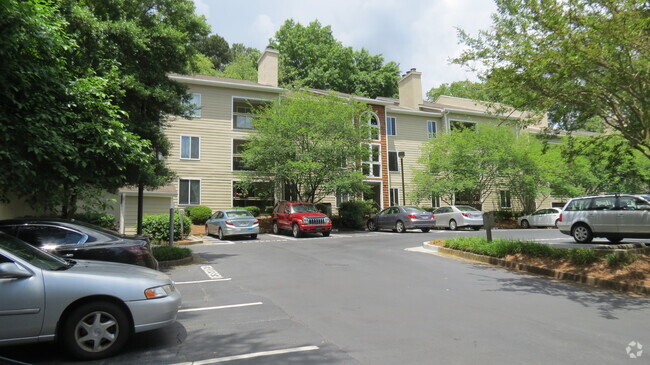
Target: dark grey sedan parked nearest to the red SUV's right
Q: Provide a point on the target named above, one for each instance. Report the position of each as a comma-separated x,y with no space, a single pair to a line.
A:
400,219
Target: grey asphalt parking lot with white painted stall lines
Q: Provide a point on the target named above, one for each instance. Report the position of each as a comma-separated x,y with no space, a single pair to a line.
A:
355,298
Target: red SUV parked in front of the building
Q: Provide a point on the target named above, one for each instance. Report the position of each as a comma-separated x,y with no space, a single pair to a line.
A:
299,218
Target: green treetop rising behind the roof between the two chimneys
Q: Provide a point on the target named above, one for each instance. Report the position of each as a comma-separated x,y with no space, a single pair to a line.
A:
310,56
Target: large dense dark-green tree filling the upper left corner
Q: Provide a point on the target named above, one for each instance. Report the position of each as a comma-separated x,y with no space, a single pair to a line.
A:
61,132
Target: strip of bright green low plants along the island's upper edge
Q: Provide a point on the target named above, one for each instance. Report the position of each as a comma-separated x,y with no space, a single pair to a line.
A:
501,248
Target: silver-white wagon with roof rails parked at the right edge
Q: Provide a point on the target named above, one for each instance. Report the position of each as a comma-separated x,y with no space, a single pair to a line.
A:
614,217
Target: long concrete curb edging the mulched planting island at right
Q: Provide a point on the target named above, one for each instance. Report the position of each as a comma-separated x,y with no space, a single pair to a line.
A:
561,275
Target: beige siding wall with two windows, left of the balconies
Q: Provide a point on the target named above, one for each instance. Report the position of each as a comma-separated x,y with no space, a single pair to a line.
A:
215,128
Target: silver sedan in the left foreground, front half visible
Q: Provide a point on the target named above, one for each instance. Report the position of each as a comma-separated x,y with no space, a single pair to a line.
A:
90,307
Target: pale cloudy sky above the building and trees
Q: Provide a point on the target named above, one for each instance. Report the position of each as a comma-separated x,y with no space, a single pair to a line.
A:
420,34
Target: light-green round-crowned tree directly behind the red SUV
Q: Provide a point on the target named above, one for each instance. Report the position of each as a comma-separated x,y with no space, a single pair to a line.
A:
310,144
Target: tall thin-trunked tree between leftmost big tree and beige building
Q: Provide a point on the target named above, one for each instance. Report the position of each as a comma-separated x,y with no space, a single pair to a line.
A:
148,40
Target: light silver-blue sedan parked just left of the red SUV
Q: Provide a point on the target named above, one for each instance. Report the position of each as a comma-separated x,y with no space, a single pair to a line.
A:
232,222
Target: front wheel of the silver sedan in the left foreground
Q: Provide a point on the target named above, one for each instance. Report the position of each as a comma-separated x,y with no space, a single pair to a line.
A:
95,330
